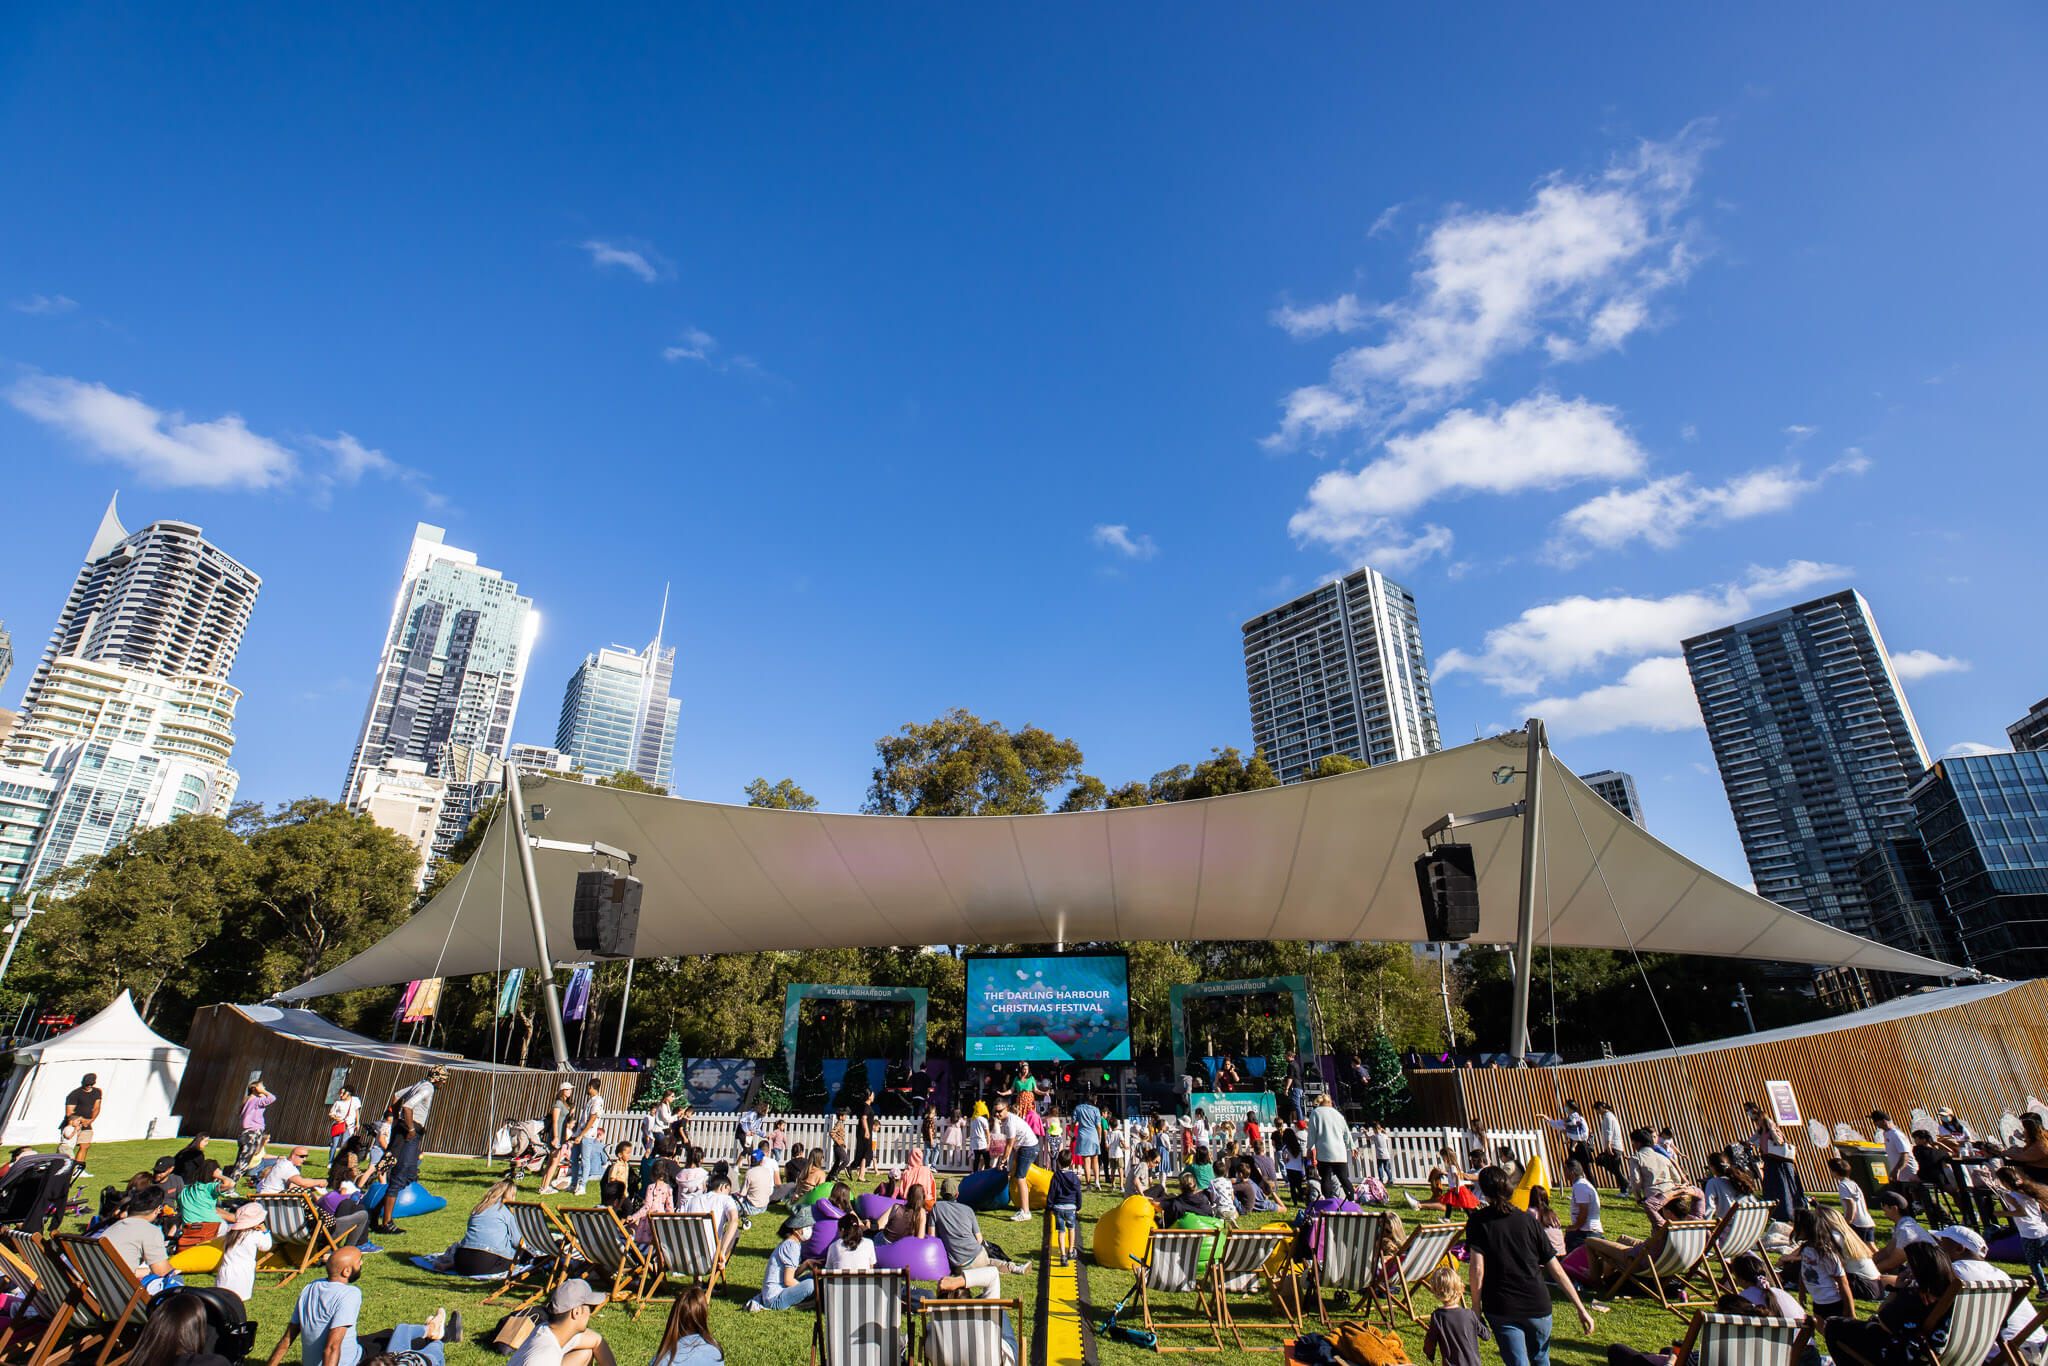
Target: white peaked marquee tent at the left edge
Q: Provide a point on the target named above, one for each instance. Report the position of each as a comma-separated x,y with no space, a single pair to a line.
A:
138,1070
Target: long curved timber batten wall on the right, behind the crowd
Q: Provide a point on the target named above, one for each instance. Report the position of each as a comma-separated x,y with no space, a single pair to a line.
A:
1983,1058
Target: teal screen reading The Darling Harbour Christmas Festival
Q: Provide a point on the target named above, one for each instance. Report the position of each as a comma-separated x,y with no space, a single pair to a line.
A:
1050,1009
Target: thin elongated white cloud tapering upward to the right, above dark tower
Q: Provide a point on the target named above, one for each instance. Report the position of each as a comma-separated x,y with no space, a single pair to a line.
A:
1662,511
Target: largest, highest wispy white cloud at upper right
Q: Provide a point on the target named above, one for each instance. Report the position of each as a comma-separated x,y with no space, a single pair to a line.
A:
1574,273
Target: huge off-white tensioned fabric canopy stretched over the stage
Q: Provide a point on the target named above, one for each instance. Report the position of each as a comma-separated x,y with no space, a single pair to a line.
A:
1314,861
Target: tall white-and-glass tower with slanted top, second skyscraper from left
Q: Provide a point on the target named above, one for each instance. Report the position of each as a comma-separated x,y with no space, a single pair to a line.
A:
447,681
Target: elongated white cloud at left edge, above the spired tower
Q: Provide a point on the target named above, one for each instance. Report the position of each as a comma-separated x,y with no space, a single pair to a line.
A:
161,447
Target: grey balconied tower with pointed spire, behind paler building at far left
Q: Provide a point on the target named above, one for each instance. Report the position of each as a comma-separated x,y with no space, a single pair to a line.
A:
161,601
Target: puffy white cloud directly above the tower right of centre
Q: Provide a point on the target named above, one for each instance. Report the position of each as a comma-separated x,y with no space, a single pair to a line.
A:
1539,443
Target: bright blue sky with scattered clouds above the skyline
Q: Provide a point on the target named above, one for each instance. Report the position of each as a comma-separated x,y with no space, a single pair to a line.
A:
1013,361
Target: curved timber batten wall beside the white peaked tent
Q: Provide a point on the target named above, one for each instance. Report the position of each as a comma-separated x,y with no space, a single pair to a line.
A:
226,1048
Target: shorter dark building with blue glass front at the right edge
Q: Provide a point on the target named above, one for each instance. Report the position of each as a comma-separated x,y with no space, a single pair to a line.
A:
1986,824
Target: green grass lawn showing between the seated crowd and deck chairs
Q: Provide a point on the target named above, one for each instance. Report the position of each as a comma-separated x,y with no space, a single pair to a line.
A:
402,1293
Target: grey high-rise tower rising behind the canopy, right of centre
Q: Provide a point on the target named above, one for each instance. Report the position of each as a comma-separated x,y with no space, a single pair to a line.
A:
1340,671
